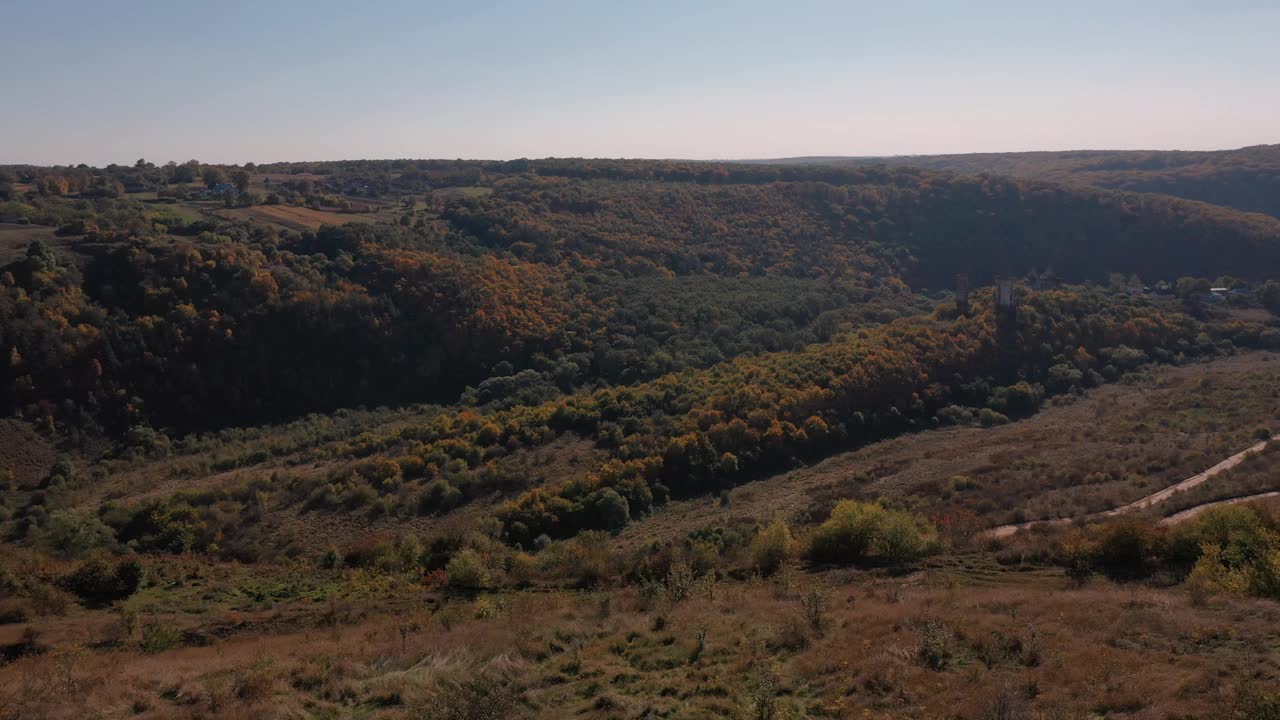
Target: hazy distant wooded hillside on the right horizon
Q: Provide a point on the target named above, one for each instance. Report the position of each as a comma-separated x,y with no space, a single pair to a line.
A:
1247,179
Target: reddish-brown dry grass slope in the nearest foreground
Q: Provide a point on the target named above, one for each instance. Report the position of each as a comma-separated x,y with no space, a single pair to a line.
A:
947,642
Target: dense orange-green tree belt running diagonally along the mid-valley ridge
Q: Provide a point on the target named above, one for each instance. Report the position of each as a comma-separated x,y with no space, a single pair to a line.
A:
697,432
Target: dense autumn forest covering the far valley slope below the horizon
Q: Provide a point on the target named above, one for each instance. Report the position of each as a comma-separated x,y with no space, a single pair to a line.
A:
149,306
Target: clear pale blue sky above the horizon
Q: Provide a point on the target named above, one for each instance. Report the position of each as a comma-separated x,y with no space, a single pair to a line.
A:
234,81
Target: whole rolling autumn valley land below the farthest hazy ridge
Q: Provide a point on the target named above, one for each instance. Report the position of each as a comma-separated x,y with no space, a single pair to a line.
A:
627,439
